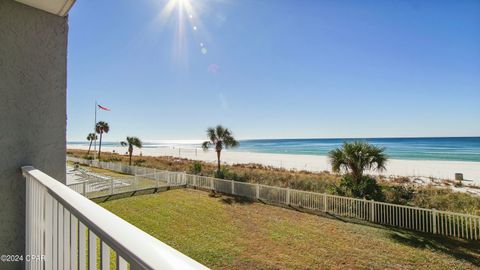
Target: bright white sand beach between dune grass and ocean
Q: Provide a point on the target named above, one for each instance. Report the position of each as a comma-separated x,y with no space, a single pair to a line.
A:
395,167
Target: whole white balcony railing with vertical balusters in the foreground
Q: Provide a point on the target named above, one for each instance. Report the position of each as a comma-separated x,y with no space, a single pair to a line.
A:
64,230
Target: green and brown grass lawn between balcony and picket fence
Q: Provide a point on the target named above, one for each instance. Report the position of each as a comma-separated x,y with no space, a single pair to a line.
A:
225,233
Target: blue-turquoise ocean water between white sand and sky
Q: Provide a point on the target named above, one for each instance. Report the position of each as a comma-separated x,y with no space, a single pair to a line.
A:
438,148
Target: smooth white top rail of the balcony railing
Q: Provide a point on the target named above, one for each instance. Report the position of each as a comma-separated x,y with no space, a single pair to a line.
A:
139,248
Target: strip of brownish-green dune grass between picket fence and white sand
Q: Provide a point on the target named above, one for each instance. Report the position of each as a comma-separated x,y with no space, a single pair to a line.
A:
398,193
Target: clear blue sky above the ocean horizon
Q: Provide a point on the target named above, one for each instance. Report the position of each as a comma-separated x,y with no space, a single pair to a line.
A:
276,69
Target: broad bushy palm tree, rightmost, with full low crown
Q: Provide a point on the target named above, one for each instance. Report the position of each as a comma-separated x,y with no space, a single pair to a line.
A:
356,157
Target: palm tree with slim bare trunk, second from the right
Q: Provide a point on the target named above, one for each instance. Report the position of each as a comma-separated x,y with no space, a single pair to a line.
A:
219,138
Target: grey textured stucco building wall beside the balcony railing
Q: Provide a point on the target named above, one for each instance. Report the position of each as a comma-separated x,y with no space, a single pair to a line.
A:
33,50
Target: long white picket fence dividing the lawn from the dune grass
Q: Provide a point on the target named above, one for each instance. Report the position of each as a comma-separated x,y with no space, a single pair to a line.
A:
401,216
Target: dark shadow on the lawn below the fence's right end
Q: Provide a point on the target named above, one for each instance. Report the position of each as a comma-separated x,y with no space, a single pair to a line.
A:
467,250
